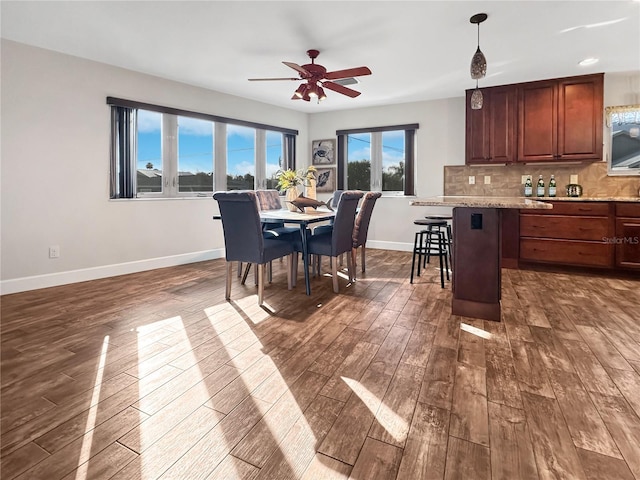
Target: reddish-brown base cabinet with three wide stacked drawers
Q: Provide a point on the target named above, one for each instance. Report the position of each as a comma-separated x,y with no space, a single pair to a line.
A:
573,233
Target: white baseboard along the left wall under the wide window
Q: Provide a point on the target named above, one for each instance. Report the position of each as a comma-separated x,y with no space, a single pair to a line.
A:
74,276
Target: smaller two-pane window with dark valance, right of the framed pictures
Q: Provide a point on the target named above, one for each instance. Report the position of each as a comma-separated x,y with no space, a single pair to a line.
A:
378,159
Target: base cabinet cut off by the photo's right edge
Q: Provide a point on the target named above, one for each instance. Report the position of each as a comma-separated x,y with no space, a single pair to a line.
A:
627,237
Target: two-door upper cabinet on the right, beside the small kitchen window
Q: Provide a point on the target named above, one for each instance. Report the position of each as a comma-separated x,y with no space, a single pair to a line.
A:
560,120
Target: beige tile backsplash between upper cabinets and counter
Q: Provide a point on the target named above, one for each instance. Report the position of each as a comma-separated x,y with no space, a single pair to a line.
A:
506,180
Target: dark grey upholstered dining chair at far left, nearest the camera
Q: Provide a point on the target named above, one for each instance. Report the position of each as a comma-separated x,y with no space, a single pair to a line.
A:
244,240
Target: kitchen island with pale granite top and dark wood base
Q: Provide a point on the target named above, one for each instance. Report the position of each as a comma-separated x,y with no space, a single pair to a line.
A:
477,223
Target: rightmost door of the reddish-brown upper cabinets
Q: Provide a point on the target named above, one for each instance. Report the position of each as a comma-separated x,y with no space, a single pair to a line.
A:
580,118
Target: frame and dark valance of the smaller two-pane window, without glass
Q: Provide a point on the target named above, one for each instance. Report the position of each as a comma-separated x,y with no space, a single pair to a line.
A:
376,157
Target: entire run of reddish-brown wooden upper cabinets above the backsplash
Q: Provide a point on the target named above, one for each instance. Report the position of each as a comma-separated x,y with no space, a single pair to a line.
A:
556,120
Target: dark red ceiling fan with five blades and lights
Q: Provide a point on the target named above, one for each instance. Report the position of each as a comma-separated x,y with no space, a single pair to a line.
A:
316,77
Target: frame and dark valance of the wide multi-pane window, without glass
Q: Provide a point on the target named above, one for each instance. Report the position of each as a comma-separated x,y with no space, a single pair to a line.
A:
123,164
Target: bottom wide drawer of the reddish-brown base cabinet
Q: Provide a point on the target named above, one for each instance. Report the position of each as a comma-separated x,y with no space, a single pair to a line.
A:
567,252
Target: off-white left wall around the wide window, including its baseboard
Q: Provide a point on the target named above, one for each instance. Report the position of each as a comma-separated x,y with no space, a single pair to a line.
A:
55,172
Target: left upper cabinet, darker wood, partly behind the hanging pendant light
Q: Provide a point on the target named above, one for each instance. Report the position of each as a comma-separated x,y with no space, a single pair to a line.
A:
490,131
